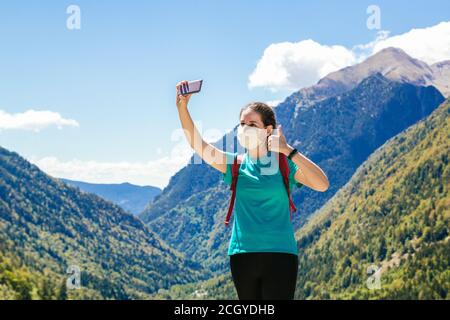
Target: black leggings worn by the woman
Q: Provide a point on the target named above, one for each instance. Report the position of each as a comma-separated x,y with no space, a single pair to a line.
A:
264,275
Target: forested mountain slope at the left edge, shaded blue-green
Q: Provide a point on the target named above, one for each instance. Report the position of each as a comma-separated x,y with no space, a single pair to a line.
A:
47,226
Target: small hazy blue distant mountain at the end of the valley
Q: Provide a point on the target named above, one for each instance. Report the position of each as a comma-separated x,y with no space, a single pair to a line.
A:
130,197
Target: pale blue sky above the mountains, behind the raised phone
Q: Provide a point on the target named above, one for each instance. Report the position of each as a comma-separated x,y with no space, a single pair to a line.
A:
115,76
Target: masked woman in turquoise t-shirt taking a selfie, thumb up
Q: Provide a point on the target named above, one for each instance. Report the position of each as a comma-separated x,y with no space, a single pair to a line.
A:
262,250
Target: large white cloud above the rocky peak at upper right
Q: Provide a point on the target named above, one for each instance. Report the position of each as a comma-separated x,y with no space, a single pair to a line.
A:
291,66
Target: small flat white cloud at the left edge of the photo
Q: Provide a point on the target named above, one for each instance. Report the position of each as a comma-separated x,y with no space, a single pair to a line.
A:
33,120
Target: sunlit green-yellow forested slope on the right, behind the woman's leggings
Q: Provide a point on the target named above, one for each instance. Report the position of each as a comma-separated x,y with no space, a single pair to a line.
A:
393,216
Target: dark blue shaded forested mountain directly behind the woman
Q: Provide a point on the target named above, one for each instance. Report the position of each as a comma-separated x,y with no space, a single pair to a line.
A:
337,133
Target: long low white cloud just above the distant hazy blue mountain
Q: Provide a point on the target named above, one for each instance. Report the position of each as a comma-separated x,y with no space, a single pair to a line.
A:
155,173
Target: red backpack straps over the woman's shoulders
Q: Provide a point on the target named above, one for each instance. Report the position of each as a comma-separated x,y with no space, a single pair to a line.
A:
284,169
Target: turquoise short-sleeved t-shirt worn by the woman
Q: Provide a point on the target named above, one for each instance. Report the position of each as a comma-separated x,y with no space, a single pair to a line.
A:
261,218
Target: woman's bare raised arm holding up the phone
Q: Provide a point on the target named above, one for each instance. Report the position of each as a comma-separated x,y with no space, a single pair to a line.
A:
209,153
